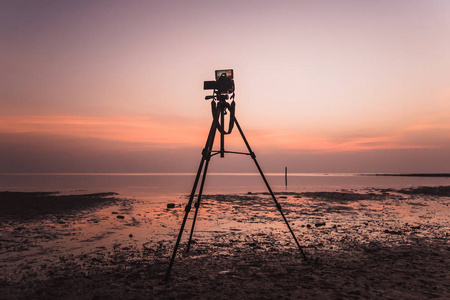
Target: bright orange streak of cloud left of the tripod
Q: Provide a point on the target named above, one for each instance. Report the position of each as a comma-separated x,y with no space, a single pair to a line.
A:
136,131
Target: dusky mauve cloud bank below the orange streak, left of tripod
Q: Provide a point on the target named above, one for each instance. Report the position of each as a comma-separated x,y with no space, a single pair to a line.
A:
39,152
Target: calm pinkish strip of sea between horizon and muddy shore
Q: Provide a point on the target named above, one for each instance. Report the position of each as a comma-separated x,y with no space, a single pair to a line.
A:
142,185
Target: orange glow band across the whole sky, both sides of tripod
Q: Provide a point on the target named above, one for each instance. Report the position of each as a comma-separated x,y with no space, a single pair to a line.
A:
143,132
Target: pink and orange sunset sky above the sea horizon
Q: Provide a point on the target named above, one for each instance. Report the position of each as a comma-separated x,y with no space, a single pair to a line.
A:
321,86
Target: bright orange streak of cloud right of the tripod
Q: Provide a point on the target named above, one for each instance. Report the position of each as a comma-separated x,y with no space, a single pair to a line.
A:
420,135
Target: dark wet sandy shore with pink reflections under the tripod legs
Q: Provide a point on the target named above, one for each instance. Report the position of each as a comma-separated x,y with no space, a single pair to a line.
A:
361,244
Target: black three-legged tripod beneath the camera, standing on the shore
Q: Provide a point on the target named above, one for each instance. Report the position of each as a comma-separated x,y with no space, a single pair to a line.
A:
219,110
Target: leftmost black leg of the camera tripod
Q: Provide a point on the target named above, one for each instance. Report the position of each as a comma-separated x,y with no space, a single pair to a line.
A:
205,154
